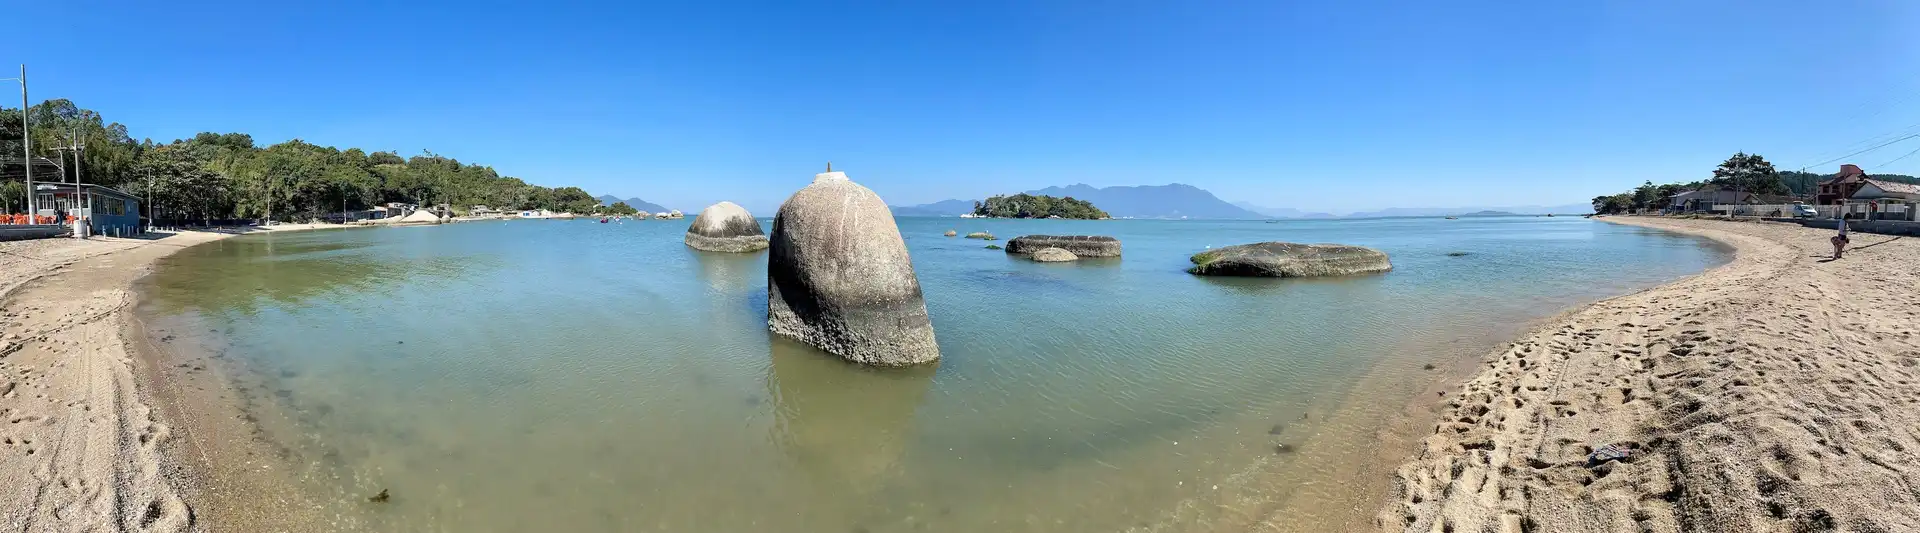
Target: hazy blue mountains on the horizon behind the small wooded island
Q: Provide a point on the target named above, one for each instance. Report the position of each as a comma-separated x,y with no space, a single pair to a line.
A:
1191,202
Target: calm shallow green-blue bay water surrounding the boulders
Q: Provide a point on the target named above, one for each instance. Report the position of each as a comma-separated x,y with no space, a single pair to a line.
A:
581,377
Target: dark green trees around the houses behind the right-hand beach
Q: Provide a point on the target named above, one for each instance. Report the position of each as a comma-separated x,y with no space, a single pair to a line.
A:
1742,174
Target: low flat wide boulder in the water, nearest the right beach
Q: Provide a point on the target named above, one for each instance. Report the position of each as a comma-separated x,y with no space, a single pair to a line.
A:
1284,260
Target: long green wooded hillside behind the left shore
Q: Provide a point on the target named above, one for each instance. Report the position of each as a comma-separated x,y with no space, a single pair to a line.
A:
216,177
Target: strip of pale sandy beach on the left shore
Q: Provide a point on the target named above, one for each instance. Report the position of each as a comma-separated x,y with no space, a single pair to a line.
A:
80,446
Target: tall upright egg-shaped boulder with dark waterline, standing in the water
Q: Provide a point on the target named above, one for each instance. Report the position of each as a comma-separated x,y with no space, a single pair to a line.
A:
838,277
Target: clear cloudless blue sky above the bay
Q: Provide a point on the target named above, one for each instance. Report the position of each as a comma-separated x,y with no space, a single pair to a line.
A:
1324,106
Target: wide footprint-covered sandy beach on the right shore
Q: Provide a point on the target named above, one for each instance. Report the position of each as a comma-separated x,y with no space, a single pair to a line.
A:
1771,394
